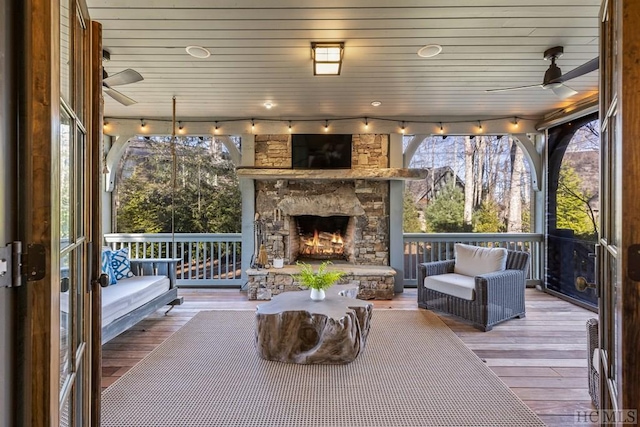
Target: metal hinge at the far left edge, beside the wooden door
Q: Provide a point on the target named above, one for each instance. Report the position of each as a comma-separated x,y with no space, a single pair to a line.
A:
17,266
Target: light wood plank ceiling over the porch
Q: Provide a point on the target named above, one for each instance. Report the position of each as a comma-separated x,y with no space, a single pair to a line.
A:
260,52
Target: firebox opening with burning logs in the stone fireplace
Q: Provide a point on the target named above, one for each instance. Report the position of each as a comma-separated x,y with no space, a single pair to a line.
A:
322,238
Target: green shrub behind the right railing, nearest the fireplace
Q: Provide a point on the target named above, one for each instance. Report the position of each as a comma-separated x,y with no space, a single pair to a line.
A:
445,213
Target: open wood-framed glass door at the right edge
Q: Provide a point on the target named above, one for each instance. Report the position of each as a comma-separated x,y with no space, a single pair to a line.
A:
619,249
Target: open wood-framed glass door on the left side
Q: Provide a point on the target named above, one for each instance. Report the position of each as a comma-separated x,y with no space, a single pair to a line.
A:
55,153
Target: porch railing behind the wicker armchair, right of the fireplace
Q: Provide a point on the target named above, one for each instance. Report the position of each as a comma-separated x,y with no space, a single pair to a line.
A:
427,247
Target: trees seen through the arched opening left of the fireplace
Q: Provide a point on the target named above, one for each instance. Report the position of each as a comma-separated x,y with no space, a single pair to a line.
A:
206,197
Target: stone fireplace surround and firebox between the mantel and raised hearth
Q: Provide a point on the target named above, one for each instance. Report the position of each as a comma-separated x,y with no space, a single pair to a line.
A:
305,219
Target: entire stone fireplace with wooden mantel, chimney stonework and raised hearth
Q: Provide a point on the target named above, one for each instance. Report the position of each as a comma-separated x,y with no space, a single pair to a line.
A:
315,215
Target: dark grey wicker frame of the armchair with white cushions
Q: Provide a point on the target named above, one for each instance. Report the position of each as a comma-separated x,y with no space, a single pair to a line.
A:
499,296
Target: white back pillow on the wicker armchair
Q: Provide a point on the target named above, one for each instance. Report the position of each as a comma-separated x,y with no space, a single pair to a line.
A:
474,260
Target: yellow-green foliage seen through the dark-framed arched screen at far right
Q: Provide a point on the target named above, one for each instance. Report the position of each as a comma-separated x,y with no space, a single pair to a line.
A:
572,205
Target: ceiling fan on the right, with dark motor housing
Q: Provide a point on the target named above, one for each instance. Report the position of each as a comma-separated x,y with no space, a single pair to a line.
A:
553,77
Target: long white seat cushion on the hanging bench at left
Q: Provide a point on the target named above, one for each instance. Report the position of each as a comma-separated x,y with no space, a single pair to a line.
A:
129,294
